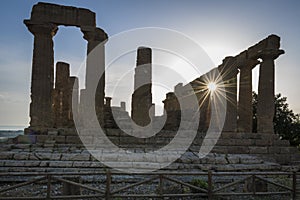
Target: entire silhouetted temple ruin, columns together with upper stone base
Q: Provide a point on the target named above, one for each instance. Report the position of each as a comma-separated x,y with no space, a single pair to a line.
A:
52,118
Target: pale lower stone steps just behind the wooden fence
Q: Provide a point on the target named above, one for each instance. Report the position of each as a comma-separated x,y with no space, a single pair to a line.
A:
75,158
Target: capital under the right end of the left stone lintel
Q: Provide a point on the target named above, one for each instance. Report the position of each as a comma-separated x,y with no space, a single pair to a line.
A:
94,34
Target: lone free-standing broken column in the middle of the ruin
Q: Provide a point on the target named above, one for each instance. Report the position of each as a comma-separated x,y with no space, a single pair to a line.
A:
142,95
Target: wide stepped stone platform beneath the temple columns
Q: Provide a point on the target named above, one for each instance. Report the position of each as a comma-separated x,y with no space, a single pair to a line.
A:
63,151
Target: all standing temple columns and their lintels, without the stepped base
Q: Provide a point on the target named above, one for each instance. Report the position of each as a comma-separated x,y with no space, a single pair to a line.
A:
51,105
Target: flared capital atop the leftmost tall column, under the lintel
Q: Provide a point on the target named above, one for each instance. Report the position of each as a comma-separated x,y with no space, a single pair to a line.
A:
41,29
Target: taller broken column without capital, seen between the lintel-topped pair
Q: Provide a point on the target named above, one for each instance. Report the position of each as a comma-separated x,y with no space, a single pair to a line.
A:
62,95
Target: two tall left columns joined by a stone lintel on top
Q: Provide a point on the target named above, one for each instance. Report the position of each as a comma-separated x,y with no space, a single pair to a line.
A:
43,24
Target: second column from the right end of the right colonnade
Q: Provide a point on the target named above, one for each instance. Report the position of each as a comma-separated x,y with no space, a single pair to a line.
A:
245,112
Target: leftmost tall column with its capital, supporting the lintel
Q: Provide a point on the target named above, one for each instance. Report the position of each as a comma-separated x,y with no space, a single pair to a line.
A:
42,74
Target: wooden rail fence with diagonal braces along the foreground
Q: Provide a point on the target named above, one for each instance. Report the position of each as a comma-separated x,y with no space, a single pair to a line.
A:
157,178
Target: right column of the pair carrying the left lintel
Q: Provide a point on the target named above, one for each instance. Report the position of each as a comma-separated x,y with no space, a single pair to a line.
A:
95,66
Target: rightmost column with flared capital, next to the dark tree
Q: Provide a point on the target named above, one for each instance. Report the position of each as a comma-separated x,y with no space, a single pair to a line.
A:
265,99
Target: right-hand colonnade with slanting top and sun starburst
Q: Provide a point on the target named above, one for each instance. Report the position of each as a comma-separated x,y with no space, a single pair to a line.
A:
239,114
